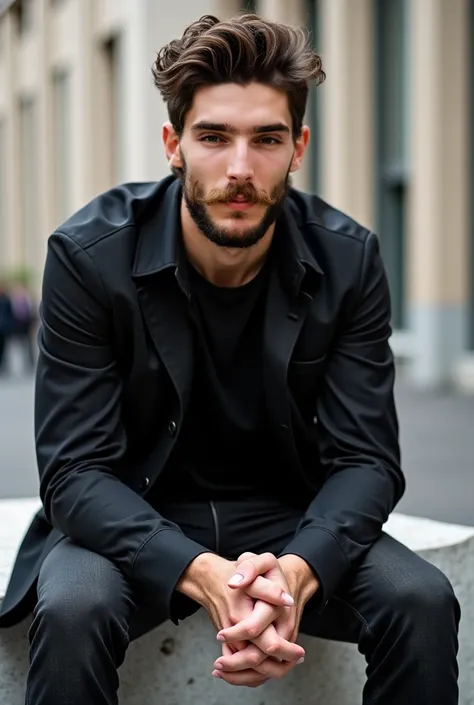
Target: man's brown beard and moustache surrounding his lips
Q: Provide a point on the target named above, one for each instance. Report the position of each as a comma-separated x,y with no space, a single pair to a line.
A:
197,204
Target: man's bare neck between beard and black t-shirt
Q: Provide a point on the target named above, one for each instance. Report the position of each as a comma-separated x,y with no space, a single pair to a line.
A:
223,266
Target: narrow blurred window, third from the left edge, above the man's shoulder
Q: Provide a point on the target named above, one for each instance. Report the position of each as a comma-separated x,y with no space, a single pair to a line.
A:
62,145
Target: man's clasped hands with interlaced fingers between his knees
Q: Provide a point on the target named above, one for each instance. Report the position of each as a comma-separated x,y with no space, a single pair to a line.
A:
257,615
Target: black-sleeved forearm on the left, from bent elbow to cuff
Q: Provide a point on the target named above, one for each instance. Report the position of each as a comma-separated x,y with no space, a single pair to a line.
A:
100,512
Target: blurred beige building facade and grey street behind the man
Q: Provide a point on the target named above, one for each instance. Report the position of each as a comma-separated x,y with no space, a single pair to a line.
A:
392,145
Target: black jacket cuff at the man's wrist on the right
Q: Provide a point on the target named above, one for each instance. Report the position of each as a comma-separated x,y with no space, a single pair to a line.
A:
322,551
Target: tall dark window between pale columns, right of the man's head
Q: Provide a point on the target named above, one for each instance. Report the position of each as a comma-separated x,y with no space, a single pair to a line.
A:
392,168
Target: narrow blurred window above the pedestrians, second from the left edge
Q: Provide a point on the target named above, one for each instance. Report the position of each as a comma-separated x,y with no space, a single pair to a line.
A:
28,181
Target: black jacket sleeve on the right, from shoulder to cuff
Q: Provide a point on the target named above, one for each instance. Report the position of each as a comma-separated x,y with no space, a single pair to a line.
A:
358,437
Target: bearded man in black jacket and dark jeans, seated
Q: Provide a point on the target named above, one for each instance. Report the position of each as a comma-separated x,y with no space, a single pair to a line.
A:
215,423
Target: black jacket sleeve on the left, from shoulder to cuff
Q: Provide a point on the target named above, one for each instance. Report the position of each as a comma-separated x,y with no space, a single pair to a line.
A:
80,439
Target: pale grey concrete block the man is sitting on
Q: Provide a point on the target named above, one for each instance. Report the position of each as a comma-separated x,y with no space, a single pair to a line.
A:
172,665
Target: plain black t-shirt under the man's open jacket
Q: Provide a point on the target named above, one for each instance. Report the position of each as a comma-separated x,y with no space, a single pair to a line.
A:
225,447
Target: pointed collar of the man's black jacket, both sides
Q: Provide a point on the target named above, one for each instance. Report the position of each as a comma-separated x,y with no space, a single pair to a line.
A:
160,245
